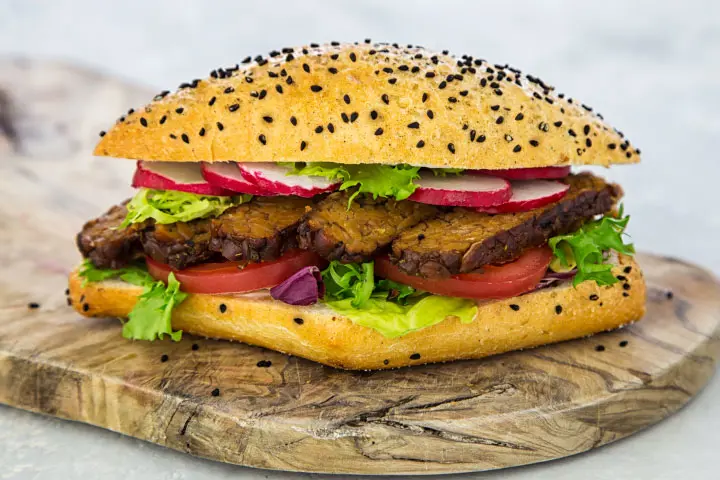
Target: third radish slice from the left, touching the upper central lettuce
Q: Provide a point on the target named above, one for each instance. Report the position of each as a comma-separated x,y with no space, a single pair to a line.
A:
273,178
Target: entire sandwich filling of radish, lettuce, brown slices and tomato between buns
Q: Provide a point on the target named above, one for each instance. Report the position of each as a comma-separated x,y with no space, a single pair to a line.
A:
396,249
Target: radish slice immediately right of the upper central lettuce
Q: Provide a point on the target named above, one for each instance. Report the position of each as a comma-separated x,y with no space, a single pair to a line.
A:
461,190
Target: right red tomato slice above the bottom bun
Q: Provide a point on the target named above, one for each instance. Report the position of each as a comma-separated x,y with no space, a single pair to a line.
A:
502,281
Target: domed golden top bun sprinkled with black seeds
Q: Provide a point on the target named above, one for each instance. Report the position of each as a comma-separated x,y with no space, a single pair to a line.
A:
368,103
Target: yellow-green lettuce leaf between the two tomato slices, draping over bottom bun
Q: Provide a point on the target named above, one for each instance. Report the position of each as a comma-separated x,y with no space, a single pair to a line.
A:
389,307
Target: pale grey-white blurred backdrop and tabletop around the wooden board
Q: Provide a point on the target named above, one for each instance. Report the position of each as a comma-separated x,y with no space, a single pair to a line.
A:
650,67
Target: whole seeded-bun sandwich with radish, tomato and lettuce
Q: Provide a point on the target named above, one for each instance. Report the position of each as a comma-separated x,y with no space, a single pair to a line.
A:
366,206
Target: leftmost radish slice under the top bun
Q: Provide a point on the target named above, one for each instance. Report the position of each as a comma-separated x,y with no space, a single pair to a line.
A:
183,177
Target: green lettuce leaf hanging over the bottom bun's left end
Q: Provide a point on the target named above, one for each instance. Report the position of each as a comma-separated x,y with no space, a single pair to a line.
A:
150,318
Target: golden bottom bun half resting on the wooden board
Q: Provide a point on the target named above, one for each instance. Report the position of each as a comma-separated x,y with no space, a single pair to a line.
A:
317,333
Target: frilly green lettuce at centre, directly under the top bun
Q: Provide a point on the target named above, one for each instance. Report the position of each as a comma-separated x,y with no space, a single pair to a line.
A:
394,181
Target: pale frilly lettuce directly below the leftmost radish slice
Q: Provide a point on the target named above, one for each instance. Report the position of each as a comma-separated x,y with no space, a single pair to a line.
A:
170,206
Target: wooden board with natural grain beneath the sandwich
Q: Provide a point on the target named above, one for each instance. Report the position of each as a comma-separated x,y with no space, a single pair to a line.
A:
240,404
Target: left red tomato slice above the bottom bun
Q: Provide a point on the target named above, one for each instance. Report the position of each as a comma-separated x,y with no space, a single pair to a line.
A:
236,277
